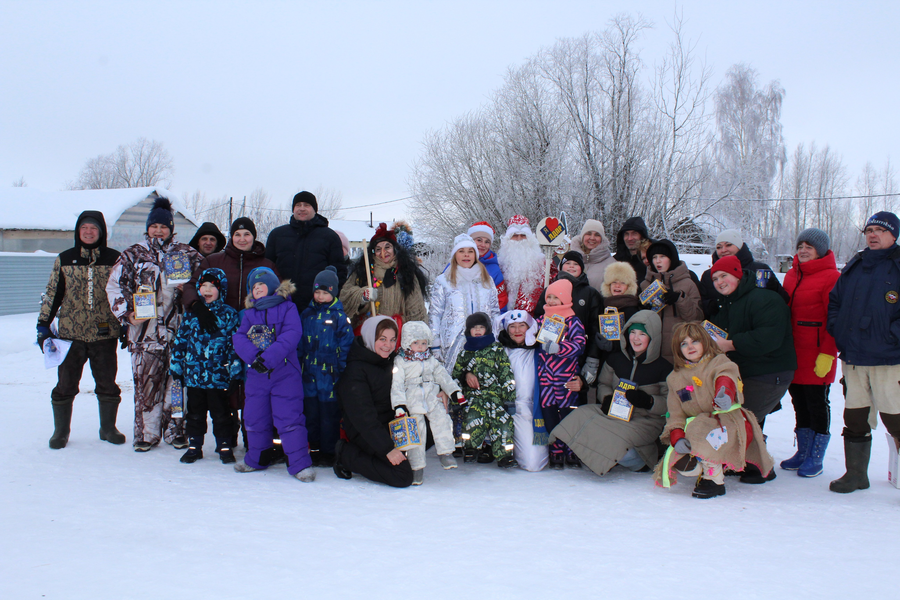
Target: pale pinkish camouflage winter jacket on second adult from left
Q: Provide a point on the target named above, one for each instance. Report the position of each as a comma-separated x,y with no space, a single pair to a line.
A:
143,265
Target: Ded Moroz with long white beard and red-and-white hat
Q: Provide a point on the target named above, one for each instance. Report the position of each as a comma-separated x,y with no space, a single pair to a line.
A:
522,264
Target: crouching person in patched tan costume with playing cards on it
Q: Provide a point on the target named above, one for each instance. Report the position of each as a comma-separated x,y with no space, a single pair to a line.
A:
707,428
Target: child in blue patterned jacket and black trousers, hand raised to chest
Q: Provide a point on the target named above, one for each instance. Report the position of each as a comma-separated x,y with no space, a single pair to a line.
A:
207,365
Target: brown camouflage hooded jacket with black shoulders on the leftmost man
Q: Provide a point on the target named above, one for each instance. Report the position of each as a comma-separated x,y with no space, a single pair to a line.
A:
75,292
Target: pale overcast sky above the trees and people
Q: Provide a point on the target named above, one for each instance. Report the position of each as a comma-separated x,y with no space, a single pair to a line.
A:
296,95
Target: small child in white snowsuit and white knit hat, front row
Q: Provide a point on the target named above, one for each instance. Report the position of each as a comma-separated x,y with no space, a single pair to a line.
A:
418,380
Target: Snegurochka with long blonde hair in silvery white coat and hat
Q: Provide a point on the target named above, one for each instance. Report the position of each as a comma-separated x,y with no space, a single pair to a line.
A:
463,289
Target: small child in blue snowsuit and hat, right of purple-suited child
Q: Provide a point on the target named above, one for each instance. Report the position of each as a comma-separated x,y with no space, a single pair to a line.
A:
327,336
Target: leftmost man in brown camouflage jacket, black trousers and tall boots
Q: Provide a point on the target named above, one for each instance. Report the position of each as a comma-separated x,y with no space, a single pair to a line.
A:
75,294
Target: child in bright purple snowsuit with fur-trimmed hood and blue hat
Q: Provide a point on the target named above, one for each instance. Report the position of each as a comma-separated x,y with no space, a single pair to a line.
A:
267,341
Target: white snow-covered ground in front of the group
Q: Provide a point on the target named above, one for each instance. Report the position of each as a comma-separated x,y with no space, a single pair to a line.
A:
99,521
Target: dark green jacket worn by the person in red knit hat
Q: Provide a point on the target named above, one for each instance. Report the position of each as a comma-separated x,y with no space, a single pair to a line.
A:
759,323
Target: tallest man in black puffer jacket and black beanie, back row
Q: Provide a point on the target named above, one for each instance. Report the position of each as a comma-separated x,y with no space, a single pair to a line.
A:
304,247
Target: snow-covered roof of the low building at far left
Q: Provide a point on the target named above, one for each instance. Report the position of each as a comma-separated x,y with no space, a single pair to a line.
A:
28,208
